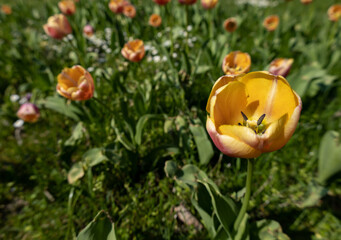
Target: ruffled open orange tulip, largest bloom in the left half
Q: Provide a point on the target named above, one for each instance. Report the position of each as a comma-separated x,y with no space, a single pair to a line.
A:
75,83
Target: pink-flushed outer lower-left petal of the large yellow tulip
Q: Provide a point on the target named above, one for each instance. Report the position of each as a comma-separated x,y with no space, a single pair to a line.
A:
230,145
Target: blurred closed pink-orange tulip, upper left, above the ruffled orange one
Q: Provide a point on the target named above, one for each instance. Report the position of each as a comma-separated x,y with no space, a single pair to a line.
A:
57,26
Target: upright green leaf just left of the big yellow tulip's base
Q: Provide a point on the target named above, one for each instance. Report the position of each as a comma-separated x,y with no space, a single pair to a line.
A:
204,146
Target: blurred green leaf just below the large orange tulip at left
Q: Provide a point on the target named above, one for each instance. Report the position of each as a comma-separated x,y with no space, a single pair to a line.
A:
60,105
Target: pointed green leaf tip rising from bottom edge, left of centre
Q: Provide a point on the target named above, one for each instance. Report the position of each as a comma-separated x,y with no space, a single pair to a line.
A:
99,228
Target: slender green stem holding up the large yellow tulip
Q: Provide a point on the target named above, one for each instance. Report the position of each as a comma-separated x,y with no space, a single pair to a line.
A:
250,166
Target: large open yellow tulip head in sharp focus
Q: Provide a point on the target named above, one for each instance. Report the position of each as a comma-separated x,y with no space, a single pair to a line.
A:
252,114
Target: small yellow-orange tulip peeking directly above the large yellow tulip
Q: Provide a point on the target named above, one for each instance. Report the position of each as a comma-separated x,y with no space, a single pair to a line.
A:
236,63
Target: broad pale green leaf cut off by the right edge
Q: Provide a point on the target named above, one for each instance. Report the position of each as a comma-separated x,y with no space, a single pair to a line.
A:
329,156
